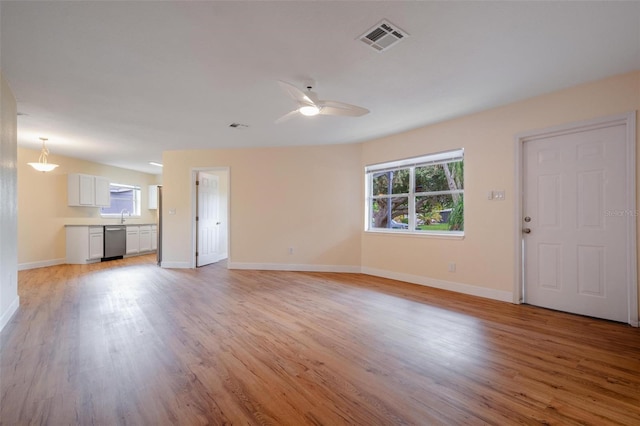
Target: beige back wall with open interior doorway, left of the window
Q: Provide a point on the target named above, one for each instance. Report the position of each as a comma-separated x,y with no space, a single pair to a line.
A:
308,198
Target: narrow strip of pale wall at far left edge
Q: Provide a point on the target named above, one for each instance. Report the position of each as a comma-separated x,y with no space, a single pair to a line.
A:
9,299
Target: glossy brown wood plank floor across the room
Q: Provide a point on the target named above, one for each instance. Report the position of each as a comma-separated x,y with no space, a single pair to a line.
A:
128,343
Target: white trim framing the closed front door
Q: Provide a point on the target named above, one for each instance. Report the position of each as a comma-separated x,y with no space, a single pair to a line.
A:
629,121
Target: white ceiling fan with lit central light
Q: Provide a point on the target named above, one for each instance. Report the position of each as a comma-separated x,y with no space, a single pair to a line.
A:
309,105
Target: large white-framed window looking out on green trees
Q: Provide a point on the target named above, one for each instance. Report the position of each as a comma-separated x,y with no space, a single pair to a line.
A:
422,195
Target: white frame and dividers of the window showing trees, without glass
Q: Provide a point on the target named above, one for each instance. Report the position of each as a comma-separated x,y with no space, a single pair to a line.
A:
411,164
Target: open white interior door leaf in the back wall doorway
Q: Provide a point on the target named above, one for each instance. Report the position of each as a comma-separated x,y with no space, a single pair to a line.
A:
208,222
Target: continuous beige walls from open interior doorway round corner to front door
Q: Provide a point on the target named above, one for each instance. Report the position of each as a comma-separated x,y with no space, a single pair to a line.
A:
312,198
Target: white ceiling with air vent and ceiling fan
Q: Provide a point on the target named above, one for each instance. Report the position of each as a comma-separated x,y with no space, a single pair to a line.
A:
120,82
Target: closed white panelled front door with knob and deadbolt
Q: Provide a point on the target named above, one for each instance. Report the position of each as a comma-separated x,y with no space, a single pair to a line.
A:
575,205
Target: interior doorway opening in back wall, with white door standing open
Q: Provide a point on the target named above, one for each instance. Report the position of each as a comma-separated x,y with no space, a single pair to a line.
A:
211,224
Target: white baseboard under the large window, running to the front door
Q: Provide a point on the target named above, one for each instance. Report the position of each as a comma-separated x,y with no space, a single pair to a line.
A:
488,293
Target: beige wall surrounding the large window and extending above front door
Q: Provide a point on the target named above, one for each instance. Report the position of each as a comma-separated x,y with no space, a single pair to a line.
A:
485,257
